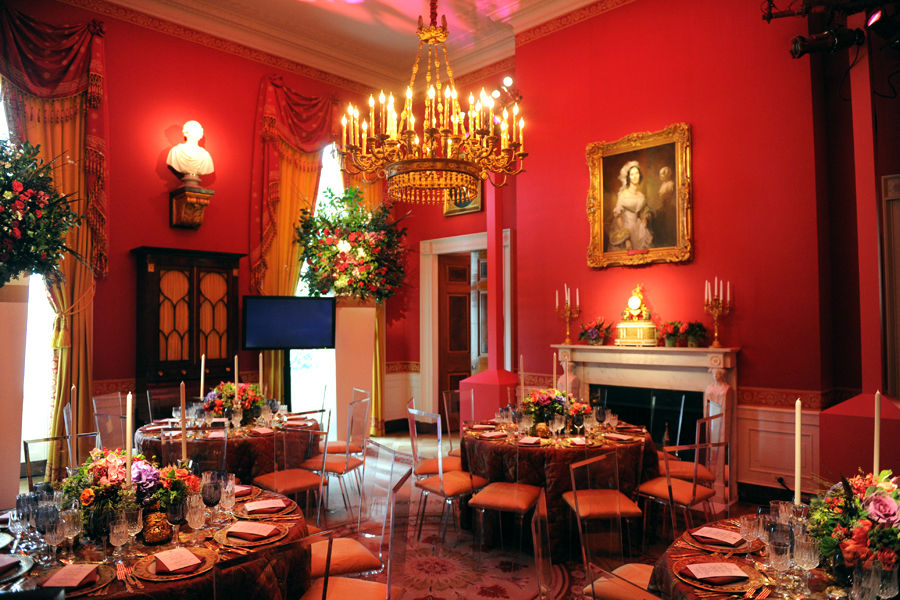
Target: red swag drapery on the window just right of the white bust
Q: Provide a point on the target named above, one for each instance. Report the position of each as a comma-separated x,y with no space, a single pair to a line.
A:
282,117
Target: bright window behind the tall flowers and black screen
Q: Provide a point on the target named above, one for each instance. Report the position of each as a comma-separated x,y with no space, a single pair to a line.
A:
313,379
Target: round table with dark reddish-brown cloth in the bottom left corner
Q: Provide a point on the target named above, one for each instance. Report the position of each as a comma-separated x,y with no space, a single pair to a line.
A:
253,572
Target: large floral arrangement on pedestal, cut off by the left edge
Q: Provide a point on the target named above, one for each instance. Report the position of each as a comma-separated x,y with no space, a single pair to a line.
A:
34,217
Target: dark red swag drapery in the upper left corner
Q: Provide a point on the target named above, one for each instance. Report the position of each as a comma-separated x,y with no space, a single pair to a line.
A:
46,61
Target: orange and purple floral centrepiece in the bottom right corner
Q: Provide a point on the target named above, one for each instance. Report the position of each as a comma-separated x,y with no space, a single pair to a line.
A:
858,520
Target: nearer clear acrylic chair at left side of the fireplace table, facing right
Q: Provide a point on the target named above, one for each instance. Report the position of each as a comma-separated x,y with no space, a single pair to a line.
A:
448,485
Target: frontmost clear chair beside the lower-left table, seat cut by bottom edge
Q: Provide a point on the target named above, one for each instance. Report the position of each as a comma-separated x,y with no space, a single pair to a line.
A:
341,588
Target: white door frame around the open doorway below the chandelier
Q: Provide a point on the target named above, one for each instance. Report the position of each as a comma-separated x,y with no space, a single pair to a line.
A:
429,250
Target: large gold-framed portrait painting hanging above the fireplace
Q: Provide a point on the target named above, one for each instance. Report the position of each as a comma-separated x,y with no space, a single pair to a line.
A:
643,216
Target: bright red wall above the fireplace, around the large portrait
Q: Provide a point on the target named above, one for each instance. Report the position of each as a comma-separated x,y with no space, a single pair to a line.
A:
641,67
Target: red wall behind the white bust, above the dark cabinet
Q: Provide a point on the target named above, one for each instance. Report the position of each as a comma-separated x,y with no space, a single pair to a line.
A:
154,83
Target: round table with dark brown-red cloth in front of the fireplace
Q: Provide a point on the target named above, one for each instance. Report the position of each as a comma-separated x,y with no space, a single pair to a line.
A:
547,465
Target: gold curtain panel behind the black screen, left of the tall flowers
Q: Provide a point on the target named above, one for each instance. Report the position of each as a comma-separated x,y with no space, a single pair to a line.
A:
297,187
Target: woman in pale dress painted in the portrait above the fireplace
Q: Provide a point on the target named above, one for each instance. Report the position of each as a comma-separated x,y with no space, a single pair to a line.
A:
631,214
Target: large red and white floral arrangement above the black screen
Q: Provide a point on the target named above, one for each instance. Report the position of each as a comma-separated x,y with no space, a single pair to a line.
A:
352,250
